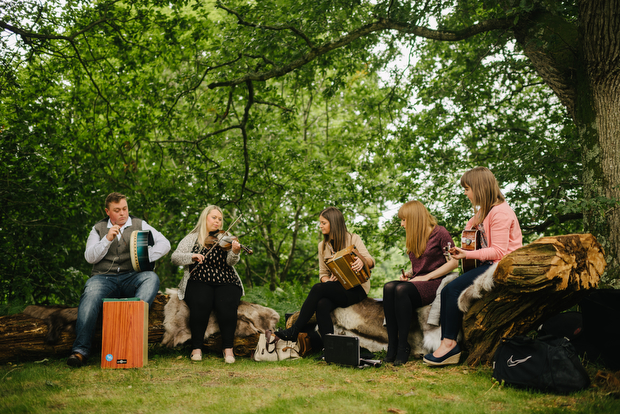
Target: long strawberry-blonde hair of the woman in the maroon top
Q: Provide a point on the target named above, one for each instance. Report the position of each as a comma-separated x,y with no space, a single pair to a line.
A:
419,224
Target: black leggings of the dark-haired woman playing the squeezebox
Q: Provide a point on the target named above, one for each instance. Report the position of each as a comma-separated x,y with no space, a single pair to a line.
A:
323,299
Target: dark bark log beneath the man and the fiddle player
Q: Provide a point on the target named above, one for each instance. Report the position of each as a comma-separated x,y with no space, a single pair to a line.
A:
22,337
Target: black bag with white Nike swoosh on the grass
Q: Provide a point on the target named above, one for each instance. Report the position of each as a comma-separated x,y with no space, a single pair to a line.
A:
547,363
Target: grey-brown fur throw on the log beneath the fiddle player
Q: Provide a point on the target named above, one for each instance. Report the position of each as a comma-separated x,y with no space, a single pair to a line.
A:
251,319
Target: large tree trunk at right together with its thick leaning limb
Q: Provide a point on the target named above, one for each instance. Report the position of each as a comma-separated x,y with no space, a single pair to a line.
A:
579,62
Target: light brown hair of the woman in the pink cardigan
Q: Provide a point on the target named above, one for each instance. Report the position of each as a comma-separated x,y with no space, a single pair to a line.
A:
485,191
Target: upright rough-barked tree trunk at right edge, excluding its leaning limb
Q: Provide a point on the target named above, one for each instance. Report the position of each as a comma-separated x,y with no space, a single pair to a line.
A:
600,31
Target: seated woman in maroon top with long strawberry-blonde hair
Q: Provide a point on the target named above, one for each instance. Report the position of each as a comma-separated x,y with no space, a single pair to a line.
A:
425,241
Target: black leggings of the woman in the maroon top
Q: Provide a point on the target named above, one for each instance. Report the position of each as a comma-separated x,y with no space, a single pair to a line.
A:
400,299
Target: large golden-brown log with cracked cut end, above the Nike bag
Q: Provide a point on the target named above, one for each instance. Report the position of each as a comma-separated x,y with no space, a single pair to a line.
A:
532,283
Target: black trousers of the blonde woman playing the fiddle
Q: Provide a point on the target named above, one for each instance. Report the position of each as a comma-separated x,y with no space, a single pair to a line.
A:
202,298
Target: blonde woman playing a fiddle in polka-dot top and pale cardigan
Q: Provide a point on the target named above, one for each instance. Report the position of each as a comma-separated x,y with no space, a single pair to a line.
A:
210,282
